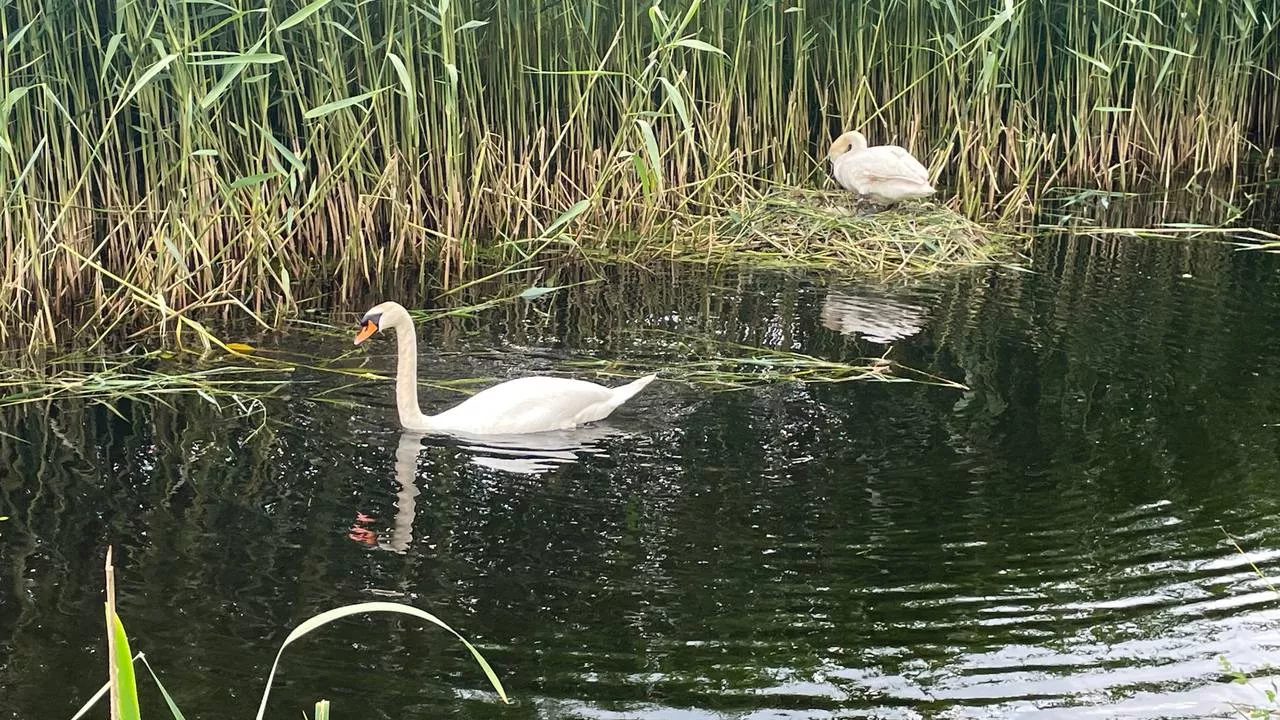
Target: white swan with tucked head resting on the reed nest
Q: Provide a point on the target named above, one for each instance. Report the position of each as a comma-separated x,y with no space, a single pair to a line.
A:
885,174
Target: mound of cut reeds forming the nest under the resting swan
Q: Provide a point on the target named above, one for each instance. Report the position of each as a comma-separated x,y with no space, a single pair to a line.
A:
831,230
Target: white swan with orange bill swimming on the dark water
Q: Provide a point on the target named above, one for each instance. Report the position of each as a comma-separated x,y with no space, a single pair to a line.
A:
524,405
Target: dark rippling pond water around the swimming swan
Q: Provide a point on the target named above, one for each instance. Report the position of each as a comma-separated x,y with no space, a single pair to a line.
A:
1053,540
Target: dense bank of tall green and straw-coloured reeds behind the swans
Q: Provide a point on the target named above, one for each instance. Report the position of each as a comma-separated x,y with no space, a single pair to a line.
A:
195,158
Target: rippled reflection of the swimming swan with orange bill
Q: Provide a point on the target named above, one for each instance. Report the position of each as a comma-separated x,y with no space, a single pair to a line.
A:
529,454
